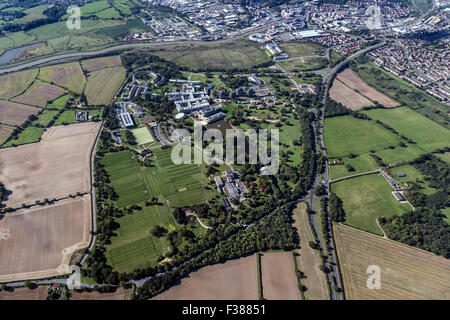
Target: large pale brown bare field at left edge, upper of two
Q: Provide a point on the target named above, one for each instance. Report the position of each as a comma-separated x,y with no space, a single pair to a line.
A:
55,167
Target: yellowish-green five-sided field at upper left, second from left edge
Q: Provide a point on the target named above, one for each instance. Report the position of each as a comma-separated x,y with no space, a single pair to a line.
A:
67,75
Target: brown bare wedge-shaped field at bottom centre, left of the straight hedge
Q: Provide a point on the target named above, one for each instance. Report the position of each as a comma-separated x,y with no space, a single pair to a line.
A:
232,280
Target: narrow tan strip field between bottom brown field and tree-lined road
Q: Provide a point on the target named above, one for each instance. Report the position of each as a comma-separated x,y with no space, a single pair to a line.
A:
308,260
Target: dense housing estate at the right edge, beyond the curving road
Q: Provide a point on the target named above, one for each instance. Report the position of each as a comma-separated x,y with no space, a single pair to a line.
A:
417,63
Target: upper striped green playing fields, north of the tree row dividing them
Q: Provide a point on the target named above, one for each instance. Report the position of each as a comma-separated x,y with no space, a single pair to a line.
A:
181,185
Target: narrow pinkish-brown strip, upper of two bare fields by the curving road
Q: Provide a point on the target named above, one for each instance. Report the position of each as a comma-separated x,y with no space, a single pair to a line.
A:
352,80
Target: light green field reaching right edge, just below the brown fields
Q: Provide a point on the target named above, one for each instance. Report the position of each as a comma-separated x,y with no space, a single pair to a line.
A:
426,133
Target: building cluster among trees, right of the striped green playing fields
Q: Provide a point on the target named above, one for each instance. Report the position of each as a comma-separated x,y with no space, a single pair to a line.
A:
228,183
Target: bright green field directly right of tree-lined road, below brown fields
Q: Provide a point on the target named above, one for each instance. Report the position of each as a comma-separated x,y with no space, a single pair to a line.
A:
345,135
